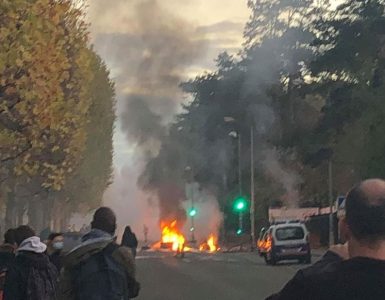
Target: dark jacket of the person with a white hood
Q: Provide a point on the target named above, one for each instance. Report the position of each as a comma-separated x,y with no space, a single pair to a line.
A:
25,267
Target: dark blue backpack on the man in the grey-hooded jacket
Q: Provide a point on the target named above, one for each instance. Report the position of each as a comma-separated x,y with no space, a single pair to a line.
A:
100,277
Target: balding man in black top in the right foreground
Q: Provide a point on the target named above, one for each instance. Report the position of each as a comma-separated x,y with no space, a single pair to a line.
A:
361,276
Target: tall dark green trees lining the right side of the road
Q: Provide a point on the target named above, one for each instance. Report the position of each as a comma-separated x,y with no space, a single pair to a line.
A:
310,81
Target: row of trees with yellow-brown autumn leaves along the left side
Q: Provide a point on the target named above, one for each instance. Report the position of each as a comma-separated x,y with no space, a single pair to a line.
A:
56,114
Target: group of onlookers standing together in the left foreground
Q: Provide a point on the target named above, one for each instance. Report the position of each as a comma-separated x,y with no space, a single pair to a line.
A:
99,268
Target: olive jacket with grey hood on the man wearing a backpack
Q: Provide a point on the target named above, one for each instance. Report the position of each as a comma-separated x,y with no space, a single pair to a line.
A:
92,243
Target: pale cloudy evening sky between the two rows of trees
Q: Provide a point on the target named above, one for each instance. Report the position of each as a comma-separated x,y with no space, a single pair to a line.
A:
125,33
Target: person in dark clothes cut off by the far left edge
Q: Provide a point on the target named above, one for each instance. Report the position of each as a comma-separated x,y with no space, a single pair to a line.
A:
7,257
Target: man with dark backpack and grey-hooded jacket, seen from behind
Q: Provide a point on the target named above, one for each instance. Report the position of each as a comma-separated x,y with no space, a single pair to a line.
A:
99,268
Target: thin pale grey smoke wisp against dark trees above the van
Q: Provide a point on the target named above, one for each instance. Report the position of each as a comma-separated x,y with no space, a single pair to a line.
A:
266,67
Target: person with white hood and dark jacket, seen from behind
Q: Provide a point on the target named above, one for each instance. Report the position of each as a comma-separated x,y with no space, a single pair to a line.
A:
31,276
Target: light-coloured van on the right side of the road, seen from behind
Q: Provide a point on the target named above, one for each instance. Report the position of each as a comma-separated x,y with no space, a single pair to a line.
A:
285,241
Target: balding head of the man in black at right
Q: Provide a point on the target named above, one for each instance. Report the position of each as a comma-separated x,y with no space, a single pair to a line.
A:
364,222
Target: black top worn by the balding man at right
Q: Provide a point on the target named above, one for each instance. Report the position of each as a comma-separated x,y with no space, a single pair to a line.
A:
358,278
